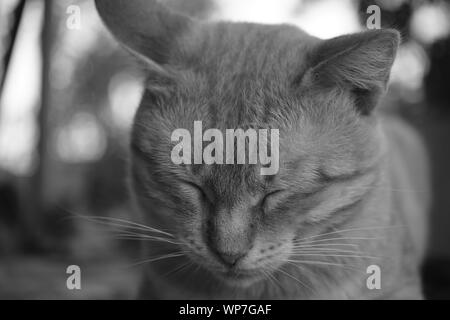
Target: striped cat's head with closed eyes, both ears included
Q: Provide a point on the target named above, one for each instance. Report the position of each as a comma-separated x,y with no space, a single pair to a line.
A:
320,94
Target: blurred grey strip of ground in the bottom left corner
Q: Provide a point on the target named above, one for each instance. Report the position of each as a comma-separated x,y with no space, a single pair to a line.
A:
35,277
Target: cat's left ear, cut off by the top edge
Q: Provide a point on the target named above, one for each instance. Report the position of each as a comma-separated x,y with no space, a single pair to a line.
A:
146,28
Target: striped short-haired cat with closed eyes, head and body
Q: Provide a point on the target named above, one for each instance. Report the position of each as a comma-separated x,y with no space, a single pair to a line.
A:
351,193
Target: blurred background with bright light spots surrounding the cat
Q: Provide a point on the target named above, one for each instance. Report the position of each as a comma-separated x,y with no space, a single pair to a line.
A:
68,93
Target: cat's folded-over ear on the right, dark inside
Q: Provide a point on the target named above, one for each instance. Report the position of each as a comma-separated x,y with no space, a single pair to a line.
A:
359,63
